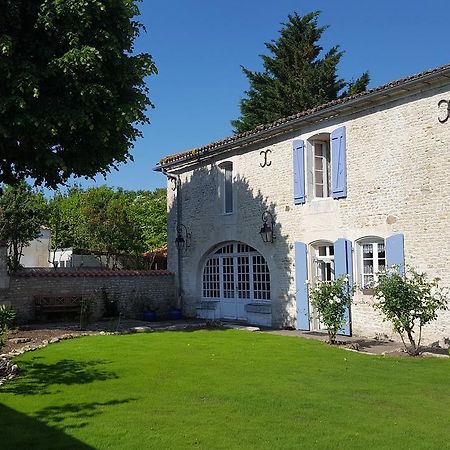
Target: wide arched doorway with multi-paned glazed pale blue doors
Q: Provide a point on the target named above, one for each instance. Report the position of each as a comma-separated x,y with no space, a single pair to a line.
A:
235,275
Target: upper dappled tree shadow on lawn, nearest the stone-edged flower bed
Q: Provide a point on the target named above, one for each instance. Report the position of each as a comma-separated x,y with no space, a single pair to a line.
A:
36,378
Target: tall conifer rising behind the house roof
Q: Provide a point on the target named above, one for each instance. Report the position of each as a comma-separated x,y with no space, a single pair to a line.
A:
297,75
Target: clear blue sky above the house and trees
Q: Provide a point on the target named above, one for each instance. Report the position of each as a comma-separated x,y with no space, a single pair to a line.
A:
199,45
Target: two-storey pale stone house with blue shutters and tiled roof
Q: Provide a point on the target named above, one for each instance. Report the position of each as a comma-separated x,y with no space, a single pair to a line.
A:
350,187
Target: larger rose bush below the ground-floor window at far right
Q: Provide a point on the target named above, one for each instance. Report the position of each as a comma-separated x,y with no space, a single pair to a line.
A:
409,301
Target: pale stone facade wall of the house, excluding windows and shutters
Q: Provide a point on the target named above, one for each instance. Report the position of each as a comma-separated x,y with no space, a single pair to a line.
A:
398,181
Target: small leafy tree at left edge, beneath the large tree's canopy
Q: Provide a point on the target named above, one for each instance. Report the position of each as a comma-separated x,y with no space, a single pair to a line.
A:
22,212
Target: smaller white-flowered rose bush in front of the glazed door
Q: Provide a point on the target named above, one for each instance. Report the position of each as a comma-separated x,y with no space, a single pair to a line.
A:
331,300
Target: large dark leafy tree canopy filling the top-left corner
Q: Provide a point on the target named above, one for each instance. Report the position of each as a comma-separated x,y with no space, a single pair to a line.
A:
72,89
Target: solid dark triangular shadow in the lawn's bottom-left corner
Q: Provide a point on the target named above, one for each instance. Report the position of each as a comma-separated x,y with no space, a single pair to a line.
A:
20,431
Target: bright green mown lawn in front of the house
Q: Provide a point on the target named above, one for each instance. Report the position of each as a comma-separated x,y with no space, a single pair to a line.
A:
222,390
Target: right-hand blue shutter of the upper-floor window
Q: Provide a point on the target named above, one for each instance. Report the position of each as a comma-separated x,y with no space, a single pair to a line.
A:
338,164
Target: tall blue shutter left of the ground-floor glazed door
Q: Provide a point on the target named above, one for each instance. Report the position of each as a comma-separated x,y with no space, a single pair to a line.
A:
301,295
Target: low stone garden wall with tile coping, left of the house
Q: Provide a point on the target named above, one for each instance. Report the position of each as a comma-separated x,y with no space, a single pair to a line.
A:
131,289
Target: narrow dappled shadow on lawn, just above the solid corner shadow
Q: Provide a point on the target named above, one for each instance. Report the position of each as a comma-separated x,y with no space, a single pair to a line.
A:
75,415
